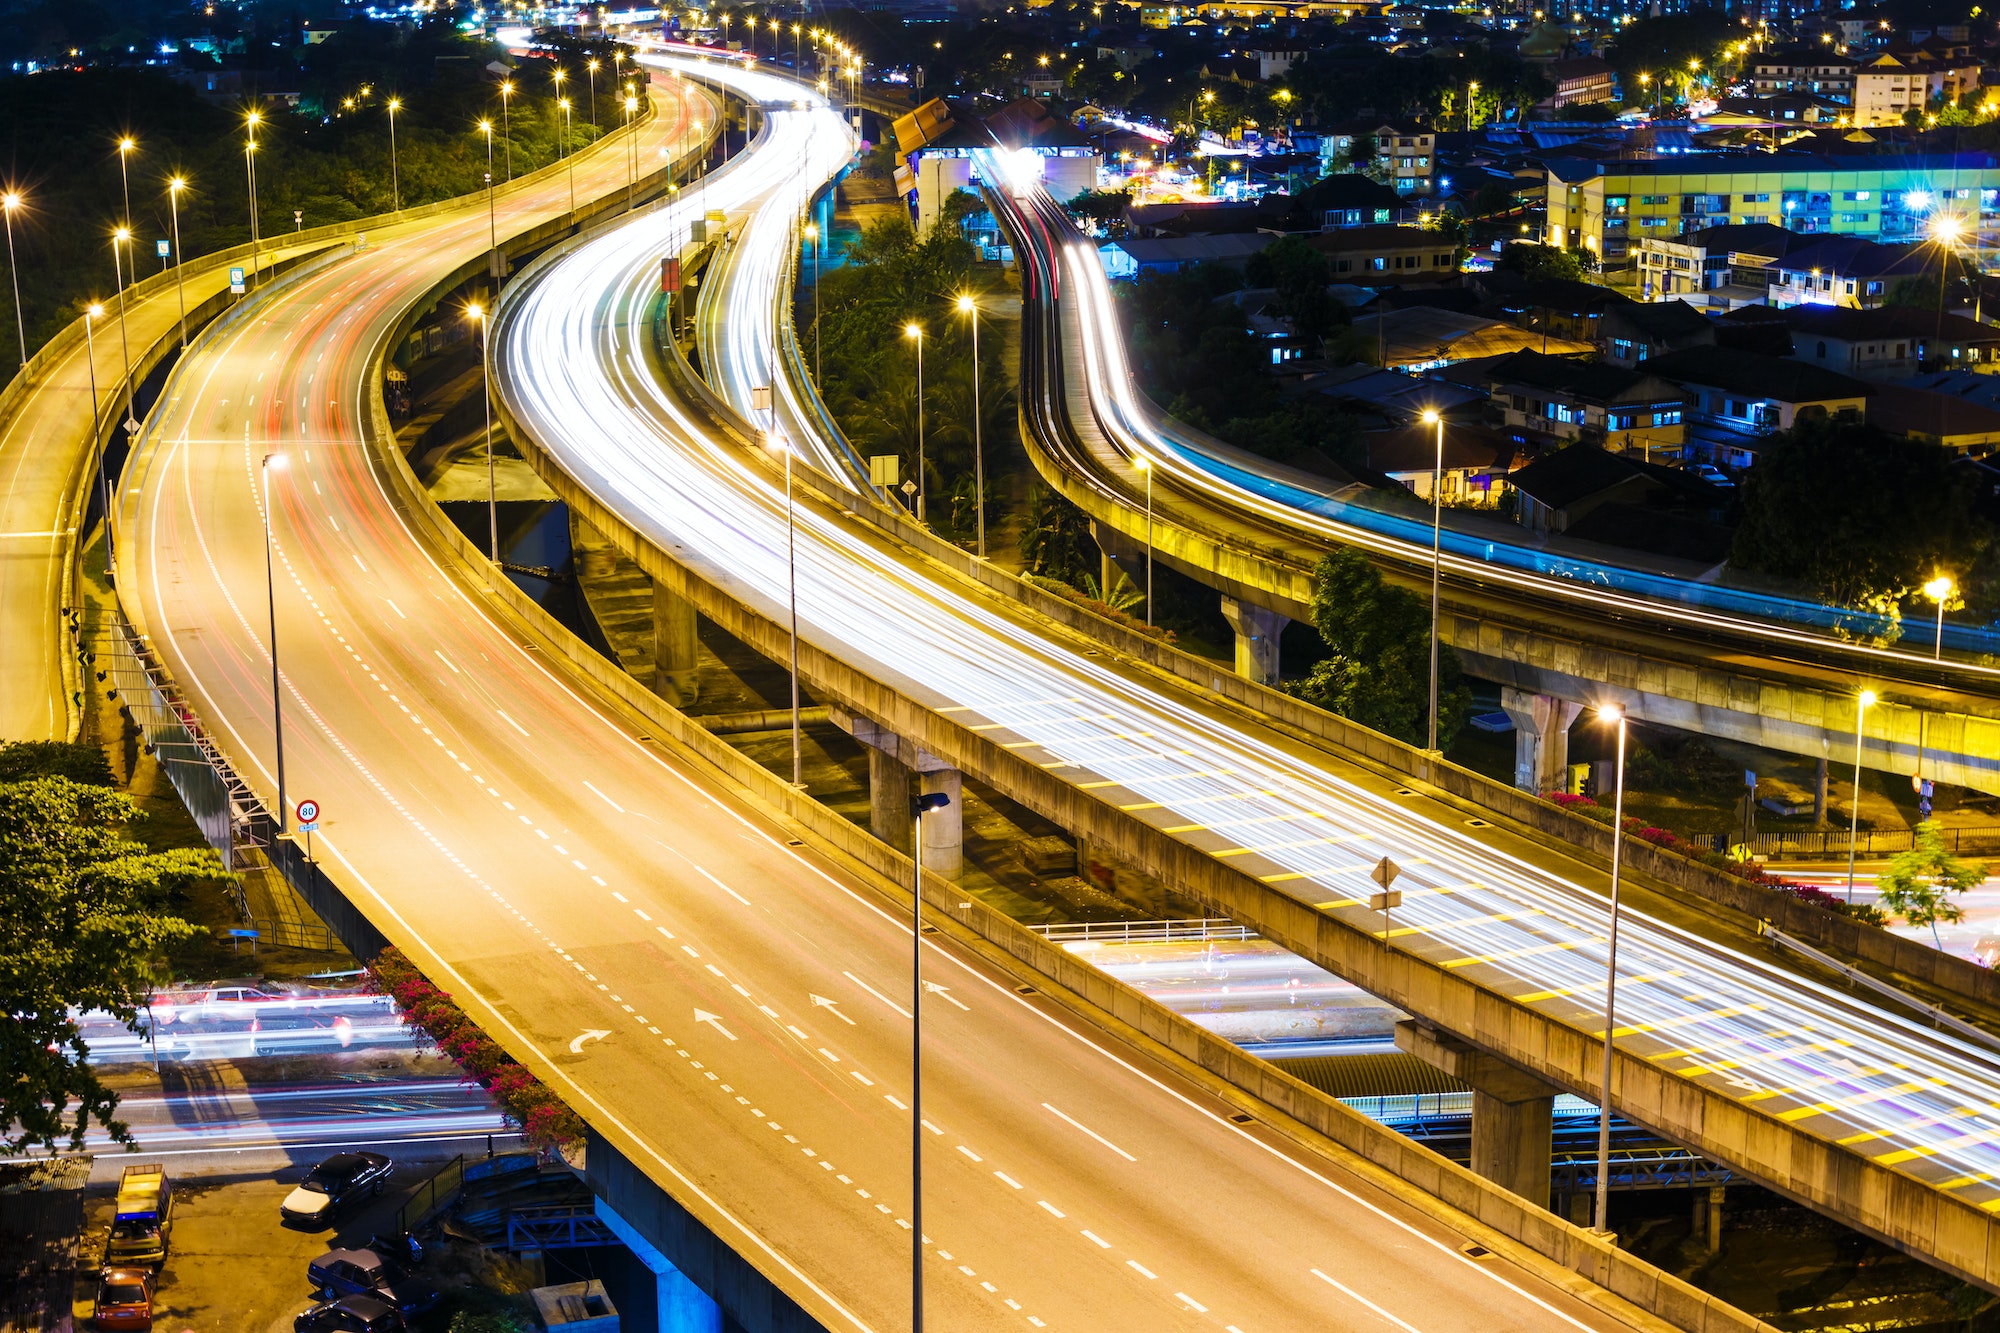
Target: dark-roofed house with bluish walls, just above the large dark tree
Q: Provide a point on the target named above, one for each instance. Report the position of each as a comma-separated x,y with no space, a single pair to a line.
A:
1739,397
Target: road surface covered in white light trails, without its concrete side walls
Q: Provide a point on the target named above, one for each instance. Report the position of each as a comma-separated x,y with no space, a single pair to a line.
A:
1511,920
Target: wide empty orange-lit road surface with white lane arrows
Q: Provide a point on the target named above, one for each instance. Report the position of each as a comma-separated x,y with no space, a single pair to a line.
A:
721,1004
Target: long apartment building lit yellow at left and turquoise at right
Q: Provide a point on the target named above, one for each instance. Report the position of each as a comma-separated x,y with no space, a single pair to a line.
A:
1613,207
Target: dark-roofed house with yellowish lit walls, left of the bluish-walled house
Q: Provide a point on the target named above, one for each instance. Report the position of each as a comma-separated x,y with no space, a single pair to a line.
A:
1557,399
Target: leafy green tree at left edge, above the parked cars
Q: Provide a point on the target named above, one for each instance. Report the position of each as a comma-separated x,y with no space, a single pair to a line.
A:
81,928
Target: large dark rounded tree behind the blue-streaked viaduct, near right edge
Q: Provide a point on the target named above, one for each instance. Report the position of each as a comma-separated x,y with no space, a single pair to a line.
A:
1857,515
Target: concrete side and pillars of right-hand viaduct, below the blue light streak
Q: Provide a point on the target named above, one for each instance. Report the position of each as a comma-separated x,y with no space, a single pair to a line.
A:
1549,641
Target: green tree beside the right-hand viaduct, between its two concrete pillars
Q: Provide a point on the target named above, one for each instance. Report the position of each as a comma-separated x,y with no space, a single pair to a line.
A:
1379,670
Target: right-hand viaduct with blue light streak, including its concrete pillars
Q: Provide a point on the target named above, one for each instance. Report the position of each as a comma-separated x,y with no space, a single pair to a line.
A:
1705,657
